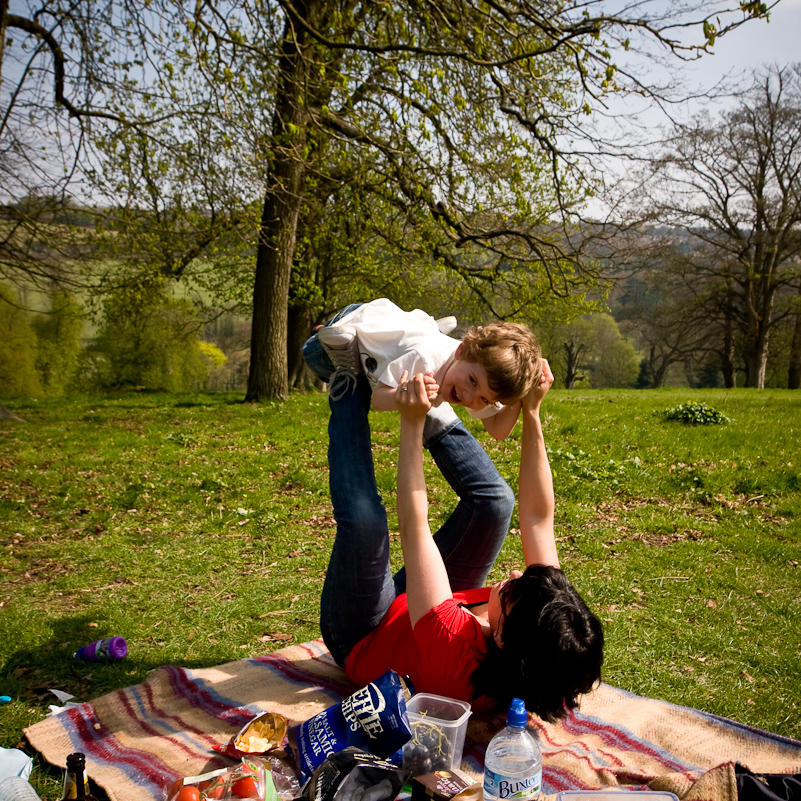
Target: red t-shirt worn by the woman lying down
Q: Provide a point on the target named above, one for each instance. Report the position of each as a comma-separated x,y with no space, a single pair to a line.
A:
439,655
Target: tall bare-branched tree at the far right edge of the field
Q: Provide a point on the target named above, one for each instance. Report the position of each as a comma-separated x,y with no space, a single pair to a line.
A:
731,188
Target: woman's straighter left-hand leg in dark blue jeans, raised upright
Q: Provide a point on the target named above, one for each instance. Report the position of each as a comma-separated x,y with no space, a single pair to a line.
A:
358,586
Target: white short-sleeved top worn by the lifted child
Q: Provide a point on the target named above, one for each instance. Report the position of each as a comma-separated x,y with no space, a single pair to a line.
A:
392,341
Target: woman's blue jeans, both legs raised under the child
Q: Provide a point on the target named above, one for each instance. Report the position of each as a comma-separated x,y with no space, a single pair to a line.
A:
359,586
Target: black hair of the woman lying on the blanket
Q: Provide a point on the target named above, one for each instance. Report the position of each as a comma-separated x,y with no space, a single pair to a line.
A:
552,646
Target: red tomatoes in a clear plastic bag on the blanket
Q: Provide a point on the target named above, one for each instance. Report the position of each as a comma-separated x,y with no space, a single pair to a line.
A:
249,779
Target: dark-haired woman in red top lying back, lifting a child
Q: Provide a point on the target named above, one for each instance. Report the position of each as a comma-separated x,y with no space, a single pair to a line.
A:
530,636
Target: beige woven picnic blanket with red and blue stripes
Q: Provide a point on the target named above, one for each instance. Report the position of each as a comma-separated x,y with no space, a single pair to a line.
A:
139,739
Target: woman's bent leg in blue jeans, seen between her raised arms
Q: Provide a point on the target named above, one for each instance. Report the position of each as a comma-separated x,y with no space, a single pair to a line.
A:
472,537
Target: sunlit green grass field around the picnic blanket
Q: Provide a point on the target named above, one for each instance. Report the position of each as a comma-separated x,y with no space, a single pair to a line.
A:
198,528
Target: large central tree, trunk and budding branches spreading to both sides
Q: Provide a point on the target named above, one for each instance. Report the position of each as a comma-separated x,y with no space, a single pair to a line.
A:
453,128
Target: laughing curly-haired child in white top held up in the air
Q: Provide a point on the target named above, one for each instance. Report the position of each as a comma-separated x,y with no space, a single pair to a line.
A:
488,372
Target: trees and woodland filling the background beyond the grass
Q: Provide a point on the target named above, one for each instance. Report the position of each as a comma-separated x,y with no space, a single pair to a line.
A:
255,167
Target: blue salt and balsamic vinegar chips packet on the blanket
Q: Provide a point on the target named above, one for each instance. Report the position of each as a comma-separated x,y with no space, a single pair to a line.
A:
373,719
